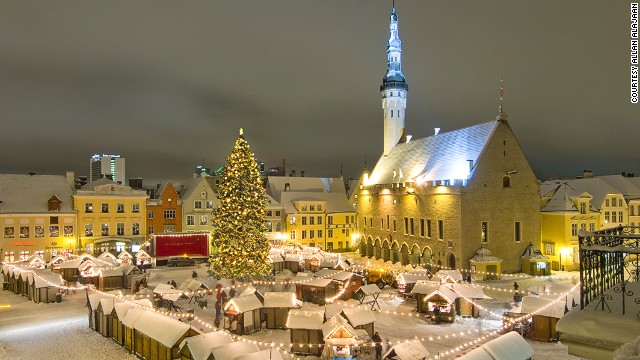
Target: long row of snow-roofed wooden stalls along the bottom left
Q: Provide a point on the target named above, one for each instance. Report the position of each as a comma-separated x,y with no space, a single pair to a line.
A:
152,336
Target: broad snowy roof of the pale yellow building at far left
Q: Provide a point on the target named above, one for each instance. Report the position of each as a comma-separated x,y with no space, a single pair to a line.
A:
31,193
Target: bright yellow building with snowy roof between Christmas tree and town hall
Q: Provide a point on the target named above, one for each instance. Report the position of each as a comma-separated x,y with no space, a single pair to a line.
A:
317,212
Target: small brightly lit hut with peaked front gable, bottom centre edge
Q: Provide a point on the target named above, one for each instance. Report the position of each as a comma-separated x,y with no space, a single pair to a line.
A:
340,339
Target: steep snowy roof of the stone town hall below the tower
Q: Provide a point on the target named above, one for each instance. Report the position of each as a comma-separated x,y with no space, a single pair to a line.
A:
438,157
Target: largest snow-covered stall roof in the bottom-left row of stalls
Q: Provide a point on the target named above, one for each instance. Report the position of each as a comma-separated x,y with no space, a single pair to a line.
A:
165,330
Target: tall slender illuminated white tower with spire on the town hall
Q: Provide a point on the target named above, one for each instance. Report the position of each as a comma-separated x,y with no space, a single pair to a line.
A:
394,89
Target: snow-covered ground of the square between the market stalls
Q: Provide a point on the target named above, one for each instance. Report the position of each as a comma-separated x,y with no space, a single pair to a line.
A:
61,331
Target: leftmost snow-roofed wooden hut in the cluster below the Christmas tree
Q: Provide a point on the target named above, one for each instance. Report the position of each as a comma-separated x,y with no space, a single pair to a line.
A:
243,313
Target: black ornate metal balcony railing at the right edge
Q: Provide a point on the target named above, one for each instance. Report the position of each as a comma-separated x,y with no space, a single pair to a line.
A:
609,259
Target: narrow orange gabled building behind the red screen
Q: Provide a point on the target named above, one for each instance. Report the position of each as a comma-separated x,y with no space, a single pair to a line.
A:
164,211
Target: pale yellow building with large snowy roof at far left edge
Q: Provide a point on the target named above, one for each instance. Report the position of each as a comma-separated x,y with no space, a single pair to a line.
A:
36,216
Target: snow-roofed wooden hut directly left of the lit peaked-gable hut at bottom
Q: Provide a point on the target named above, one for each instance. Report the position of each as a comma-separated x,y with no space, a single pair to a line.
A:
305,330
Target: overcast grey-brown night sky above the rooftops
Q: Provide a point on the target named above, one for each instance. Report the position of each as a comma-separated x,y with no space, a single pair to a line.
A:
167,84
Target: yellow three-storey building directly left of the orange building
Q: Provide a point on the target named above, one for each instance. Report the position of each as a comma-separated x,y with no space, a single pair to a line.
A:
111,217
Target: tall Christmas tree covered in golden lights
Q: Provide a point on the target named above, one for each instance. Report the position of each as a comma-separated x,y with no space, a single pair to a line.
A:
240,246
